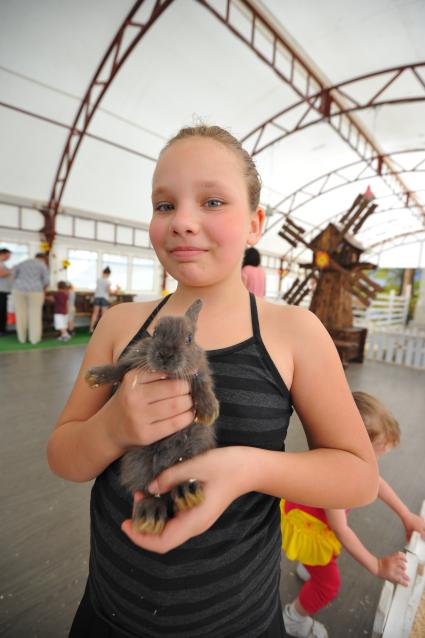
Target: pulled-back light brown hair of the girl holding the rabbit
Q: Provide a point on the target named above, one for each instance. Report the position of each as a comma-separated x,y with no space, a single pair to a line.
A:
224,137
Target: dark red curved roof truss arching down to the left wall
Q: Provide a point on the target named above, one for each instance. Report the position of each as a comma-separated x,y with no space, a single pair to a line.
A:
127,37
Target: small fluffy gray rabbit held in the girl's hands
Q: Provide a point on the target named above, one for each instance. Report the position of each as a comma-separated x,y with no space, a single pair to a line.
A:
171,349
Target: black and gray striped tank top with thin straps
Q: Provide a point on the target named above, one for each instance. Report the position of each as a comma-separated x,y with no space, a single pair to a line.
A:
225,582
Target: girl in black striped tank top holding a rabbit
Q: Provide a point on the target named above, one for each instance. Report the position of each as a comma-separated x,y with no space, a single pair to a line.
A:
214,570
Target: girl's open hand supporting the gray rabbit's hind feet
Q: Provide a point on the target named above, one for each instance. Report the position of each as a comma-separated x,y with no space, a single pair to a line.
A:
225,475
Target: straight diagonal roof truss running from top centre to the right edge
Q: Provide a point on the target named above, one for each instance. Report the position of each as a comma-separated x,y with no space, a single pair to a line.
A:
253,27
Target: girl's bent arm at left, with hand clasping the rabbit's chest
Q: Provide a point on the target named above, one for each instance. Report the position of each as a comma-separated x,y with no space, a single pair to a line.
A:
95,429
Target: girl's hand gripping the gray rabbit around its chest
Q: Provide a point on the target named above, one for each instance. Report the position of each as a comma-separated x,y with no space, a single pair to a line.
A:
151,407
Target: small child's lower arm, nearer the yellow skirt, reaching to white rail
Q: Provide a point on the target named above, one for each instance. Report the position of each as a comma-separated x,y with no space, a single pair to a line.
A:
391,567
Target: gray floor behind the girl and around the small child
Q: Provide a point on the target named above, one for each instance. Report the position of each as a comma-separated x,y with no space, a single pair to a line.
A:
45,524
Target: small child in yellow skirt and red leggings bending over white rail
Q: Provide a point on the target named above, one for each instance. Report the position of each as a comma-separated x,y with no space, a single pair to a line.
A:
314,536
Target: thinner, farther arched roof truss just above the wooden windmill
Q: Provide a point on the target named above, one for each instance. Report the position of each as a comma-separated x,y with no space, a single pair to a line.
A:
346,175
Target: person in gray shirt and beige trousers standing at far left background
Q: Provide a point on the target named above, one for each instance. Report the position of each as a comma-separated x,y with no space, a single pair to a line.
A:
30,280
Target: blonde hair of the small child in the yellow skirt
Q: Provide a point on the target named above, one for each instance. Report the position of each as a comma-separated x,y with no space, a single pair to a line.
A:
377,418
